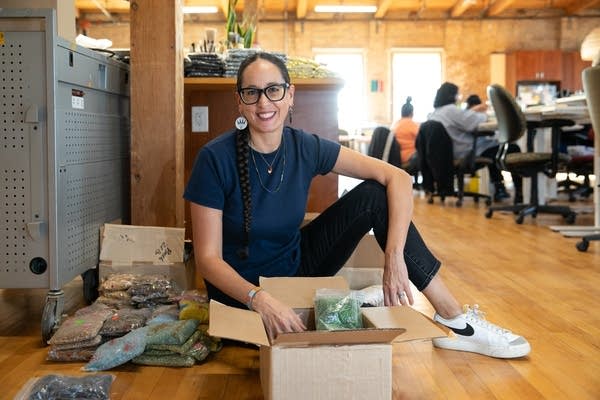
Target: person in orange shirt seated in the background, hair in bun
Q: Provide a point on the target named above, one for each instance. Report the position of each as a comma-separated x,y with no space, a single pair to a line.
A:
406,130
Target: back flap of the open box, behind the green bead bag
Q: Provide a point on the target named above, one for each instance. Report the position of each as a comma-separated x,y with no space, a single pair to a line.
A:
300,292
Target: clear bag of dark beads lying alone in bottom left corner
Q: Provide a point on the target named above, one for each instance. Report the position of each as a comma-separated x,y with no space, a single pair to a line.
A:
54,387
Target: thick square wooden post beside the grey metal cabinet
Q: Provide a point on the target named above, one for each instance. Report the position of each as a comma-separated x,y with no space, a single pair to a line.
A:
157,140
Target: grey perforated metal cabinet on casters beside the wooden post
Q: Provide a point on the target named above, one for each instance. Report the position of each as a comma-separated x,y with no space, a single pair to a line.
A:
64,156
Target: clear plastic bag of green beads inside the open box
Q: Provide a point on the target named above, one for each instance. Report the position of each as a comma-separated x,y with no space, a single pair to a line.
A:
337,310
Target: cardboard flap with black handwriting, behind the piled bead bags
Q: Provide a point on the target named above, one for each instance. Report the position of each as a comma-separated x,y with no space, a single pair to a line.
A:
128,244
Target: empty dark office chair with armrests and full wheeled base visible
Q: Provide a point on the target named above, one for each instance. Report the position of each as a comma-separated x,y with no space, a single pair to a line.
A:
511,127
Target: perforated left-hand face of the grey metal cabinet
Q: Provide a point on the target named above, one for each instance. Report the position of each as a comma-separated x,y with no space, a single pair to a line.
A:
21,85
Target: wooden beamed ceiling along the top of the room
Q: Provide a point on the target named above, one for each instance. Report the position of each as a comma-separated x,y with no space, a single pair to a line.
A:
118,10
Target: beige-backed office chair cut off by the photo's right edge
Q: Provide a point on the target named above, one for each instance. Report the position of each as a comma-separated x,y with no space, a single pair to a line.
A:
591,85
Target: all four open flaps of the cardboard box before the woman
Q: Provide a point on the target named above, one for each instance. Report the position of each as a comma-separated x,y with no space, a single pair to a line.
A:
390,323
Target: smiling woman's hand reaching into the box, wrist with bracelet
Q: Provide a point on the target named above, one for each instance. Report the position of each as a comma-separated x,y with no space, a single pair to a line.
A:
277,316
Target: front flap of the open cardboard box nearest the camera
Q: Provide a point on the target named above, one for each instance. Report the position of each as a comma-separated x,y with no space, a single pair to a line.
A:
346,337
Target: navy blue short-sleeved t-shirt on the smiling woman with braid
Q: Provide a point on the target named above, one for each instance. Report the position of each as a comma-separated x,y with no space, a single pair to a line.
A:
274,248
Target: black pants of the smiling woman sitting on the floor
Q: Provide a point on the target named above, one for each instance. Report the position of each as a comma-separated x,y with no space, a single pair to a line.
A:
328,241
